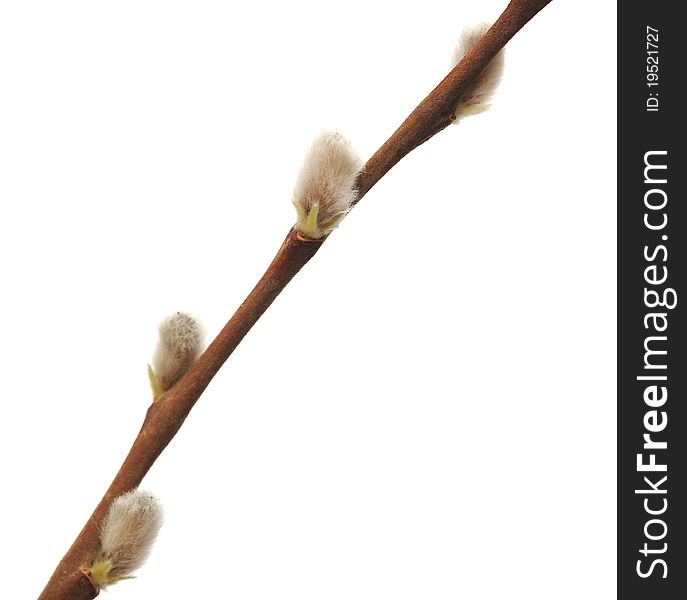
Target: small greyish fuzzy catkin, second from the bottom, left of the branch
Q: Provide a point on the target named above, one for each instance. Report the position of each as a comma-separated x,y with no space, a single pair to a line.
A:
180,344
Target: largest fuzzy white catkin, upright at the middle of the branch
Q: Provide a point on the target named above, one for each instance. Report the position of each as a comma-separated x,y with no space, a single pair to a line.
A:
325,188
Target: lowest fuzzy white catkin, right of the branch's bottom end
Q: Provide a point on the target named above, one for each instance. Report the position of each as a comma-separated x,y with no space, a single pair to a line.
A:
129,531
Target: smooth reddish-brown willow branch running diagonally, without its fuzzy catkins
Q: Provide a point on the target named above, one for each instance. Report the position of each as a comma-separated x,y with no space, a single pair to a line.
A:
168,412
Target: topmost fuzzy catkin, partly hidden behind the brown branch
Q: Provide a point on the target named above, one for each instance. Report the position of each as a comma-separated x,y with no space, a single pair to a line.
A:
477,96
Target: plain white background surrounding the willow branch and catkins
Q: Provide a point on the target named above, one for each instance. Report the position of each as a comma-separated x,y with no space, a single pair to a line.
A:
427,412
